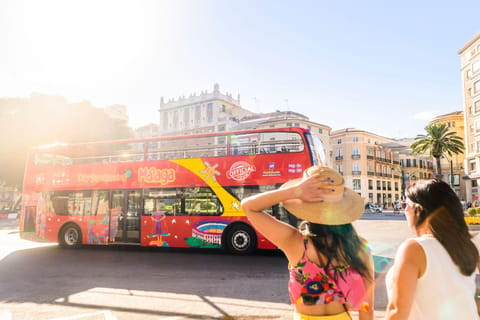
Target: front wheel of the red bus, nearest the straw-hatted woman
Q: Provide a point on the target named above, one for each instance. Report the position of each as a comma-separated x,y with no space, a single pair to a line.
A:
240,239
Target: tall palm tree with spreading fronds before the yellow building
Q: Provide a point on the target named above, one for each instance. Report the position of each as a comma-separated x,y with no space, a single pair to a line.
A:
438,142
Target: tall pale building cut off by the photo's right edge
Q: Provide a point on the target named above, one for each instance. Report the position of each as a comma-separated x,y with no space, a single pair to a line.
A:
470,73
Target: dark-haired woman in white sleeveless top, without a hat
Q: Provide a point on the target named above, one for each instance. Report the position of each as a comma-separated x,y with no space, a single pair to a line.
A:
433,276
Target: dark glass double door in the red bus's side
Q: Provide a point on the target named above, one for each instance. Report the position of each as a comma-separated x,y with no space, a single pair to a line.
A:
125,216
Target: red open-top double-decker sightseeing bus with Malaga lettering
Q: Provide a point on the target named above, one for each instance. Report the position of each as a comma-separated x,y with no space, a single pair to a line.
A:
181,191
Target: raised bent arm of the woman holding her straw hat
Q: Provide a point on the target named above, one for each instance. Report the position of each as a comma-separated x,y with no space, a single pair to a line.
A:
279,233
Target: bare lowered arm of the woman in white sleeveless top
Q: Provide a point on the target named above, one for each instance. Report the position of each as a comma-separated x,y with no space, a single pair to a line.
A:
410,263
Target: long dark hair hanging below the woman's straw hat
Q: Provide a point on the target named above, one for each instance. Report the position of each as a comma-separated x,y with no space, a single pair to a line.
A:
340,243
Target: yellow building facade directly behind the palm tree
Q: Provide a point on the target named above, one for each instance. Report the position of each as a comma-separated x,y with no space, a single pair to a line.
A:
453,167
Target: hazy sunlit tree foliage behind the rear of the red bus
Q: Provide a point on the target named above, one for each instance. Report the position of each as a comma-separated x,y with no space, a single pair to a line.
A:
40,120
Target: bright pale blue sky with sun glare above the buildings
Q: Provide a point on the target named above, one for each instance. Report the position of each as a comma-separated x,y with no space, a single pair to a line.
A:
380,66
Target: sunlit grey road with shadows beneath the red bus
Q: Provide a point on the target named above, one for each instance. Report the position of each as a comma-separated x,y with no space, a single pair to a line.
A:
41,281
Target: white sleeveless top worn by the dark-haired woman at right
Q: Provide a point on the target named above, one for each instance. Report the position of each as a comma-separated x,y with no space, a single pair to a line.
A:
442,291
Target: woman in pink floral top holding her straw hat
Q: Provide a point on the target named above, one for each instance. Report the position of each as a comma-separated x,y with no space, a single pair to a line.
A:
330,266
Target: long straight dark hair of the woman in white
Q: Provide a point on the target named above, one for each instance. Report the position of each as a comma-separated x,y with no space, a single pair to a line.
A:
442,206
